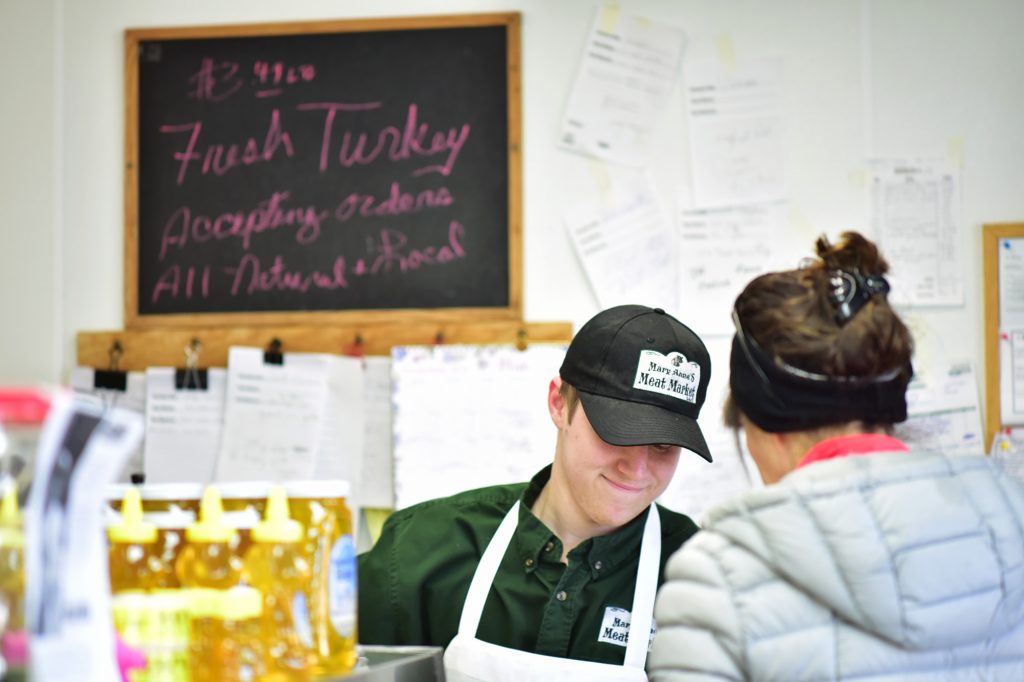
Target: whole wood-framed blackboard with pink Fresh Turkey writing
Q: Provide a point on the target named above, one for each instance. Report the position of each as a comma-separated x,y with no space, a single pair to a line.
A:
351,170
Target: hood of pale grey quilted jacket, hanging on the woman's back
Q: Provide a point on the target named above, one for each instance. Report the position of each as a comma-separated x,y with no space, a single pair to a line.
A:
923,550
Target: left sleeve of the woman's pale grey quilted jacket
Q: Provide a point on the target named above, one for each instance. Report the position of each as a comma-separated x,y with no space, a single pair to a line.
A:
699,629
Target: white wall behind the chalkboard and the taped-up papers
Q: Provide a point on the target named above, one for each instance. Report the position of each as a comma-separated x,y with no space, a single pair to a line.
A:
900,77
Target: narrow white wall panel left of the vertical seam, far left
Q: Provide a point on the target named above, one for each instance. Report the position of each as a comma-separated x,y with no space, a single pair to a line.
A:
30,279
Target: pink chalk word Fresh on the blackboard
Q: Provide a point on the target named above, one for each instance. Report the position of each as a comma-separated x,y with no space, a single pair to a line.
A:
221,159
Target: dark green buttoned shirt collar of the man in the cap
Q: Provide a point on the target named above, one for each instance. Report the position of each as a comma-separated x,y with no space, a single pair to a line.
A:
536,543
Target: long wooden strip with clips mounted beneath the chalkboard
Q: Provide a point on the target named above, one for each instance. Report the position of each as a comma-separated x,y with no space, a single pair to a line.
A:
163,348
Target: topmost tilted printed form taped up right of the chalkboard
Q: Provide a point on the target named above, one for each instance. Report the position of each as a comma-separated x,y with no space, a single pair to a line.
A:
627,72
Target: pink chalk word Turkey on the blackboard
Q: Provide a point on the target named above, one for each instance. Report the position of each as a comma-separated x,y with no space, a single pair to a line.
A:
412,141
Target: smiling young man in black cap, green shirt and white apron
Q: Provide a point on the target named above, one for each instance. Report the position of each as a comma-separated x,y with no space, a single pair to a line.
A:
564,569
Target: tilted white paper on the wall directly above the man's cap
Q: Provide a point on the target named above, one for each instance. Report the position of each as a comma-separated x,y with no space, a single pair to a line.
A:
624,241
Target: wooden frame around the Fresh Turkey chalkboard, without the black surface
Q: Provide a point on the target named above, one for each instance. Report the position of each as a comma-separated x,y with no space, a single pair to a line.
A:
513,312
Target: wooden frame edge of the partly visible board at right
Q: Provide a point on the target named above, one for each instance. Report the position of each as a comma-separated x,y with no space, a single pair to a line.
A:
991,273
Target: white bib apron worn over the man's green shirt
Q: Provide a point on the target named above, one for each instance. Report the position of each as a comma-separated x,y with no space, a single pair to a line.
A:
472,660
